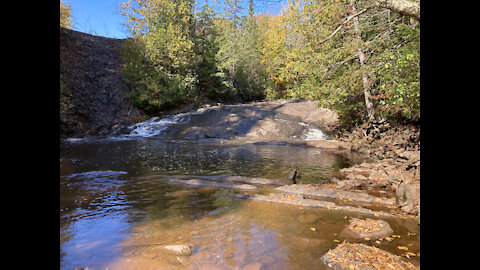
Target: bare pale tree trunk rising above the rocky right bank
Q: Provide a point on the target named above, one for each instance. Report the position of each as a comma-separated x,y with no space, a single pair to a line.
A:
365,77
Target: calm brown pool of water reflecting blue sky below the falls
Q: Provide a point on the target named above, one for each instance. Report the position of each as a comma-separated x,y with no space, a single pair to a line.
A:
116,212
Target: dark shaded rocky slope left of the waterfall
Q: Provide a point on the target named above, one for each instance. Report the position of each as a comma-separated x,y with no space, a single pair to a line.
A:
93,95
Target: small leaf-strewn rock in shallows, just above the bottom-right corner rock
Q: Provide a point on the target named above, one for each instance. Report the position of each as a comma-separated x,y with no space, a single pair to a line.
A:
373,229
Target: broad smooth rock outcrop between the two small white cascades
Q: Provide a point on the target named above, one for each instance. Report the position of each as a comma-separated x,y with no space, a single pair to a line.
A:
266,121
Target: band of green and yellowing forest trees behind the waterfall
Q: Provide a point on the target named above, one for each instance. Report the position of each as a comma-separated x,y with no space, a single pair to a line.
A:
359,58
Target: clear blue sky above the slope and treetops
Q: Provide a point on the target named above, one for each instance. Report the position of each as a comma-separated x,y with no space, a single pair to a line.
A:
101,17
